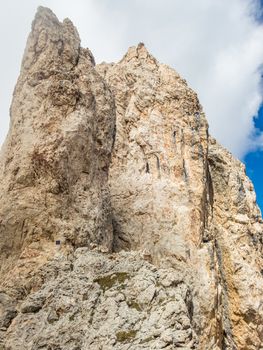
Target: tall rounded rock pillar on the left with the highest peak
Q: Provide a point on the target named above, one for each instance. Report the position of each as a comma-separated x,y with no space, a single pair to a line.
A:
54,164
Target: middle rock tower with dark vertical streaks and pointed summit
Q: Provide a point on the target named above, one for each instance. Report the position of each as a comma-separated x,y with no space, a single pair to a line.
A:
159,177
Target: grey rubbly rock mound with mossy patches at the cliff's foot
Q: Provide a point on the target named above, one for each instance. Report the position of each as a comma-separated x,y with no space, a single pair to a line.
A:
95,301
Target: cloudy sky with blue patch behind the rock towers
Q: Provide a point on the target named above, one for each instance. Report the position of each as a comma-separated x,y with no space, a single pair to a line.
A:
216,45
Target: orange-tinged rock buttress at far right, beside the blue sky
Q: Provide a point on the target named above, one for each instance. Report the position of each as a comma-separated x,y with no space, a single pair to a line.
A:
237,233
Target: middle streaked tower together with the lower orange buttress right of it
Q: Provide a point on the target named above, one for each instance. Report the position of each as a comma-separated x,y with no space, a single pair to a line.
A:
185,202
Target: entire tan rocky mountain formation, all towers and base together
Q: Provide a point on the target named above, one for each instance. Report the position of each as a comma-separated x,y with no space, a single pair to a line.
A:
170,258
